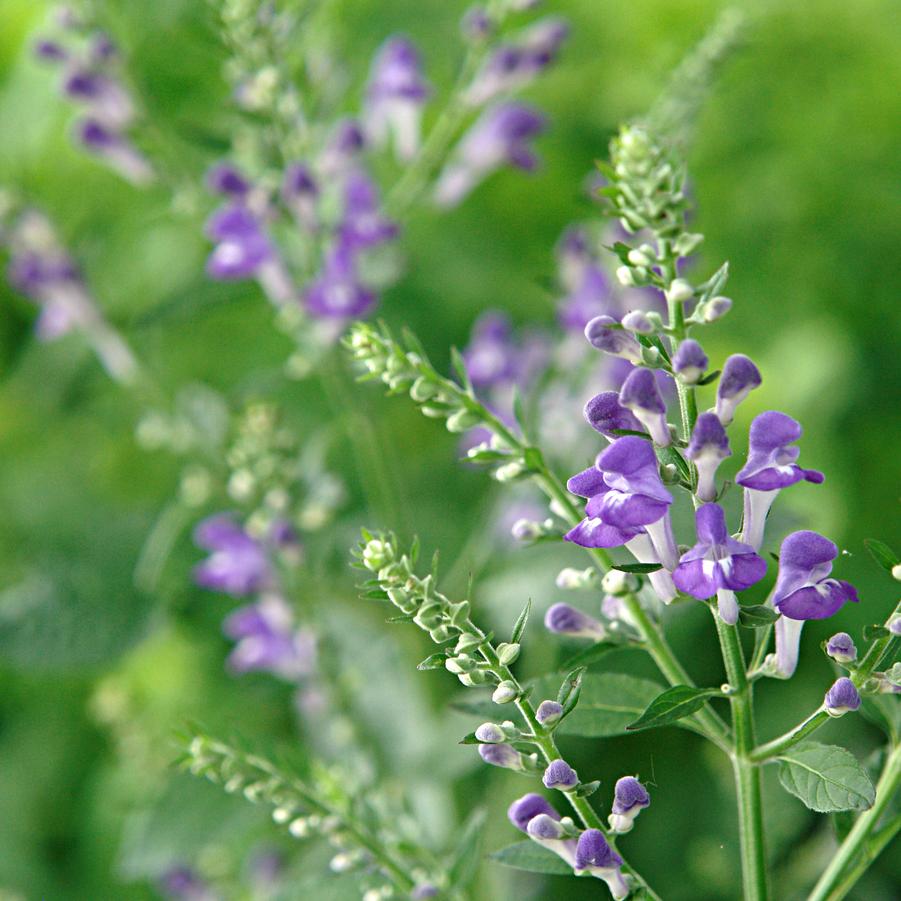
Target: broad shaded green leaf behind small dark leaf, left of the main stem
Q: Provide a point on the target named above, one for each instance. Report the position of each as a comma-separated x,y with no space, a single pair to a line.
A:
608,703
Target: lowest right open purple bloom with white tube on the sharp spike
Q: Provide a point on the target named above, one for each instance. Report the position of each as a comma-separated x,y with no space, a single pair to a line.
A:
804,591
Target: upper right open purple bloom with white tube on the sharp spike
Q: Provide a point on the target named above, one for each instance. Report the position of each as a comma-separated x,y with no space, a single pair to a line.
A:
769,468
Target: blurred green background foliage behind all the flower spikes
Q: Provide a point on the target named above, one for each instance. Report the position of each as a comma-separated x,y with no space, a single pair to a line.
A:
795,172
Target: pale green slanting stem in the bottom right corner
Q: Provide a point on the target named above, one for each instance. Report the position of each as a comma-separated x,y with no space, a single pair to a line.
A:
831,885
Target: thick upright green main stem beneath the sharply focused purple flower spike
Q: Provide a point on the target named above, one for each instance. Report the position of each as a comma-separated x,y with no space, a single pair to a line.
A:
747,772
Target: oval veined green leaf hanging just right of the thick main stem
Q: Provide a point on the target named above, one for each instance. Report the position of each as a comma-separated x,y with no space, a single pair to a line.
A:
826,778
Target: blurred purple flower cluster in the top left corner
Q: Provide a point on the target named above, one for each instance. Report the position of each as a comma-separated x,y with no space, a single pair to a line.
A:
92,79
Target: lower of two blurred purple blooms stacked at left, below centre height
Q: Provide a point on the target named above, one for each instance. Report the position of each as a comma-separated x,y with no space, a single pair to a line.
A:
268,641
